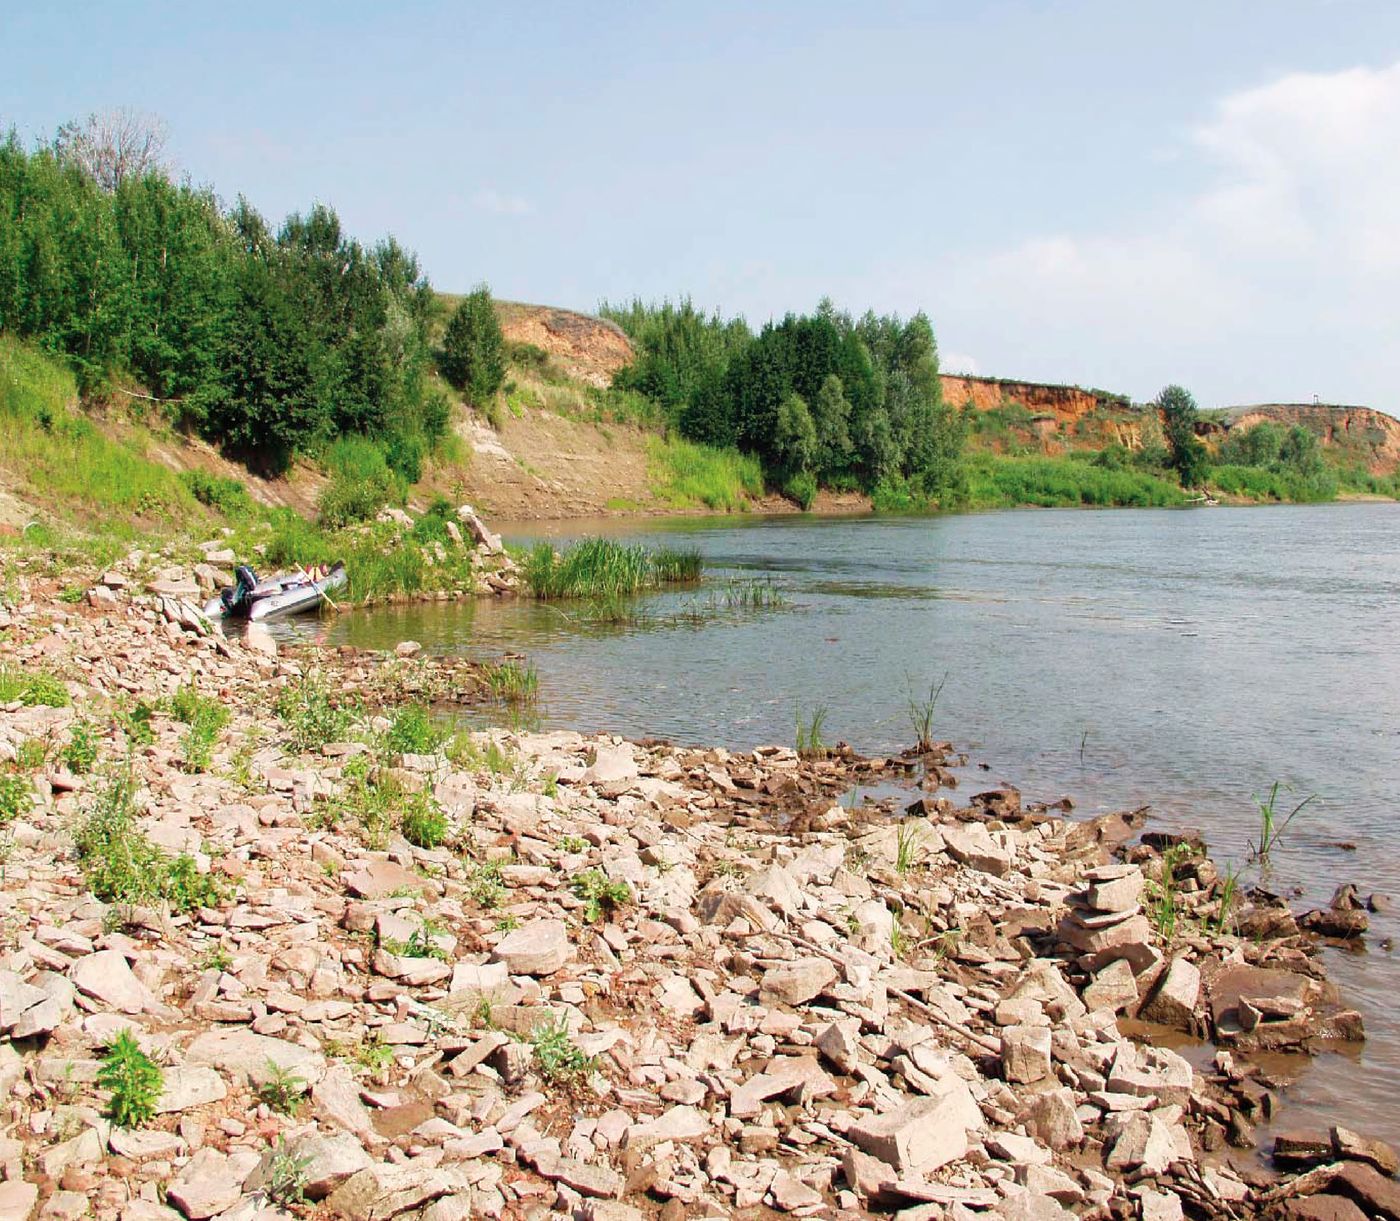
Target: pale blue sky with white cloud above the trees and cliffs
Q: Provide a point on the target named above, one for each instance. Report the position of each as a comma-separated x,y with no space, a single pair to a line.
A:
1108,194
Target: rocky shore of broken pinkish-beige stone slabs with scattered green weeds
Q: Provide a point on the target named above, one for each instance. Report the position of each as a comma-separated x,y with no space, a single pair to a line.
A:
605,979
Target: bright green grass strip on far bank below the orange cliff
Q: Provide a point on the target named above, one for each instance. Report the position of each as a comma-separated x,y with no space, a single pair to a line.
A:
1004,482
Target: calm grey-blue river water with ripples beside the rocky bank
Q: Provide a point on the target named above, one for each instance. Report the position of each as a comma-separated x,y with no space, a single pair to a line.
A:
1182,660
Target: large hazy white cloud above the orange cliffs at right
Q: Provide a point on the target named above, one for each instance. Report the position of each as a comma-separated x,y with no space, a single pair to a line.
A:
1280,278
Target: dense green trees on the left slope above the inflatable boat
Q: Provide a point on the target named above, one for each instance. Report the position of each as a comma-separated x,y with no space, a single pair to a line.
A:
267,341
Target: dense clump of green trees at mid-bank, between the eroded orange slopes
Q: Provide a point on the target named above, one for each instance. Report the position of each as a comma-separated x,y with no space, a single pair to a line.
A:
822,400
